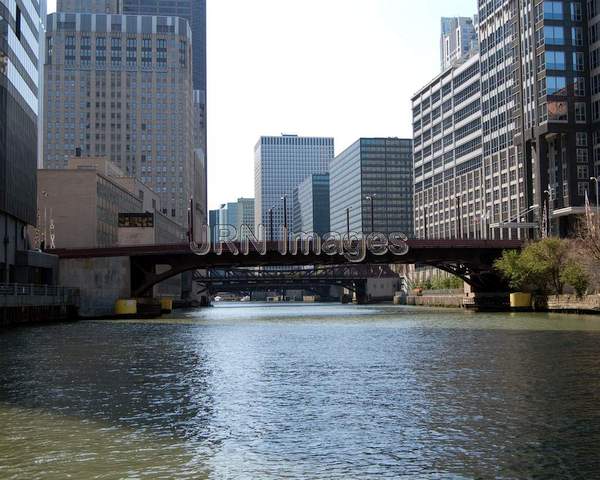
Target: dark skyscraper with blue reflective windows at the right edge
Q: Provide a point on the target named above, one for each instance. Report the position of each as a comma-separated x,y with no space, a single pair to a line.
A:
546,93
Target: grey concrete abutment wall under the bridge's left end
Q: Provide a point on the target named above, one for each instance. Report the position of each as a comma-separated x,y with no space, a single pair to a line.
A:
101,282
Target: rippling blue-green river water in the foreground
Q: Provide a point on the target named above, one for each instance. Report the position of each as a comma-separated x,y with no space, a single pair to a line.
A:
245,391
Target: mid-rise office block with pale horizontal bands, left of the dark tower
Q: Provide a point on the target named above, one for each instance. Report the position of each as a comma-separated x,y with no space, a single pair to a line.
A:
459,192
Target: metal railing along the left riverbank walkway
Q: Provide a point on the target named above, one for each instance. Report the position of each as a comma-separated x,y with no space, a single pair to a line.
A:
18,294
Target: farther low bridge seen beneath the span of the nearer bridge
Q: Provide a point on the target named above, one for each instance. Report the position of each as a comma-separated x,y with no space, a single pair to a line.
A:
350,276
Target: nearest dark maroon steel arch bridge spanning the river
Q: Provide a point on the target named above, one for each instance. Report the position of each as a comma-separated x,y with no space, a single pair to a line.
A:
146,266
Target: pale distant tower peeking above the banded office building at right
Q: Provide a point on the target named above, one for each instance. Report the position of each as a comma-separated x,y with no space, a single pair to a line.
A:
458,40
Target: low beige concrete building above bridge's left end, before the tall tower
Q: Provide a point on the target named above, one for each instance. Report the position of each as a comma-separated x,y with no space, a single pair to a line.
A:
91,204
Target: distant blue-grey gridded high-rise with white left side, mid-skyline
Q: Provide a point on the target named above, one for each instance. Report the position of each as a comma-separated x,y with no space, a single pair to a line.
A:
280,165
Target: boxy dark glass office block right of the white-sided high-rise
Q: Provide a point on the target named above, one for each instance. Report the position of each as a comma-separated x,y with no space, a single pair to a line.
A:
371,183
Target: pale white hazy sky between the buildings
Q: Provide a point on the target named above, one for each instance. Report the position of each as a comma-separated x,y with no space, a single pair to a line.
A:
340,68
